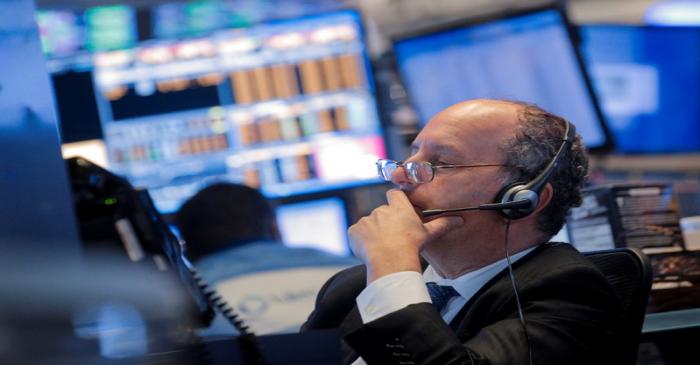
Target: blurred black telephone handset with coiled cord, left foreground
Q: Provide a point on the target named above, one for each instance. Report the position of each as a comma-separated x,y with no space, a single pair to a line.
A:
113,215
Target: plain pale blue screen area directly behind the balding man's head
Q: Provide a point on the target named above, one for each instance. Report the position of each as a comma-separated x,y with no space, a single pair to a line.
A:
527,57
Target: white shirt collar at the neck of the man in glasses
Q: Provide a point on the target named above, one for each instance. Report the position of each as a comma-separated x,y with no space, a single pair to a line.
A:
468,284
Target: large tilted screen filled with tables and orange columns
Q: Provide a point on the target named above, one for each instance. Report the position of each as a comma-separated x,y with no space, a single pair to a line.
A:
286,106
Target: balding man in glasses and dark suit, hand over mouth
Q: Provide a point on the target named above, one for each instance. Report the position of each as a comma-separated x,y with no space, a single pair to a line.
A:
569,313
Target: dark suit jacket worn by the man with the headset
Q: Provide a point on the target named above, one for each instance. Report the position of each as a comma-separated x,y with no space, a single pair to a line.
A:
572,317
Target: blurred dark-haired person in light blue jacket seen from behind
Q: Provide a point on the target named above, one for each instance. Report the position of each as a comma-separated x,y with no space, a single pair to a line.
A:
233,240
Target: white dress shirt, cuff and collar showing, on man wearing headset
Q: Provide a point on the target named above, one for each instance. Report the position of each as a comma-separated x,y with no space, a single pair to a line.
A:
399,290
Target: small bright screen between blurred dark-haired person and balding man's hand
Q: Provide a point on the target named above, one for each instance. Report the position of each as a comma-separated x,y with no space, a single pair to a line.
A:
320,224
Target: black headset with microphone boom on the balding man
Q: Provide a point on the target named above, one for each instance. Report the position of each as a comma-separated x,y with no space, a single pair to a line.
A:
519,199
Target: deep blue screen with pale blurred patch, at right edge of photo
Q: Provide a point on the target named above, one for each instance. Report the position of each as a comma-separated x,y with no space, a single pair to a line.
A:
648,83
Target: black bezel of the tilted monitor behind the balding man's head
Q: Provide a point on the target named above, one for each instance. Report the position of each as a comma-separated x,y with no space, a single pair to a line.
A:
571,31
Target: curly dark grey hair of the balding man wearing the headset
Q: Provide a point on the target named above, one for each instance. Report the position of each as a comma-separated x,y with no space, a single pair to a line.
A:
535,143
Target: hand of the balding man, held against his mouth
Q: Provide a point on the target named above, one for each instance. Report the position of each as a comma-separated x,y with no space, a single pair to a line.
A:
390,238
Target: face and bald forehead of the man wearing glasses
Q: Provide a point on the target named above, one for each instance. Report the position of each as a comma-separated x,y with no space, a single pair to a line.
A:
464,134
